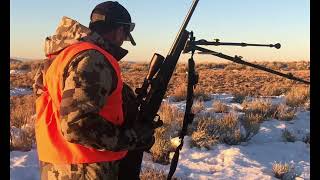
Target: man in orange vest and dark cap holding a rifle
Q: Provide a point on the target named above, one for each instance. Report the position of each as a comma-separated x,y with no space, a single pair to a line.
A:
83,127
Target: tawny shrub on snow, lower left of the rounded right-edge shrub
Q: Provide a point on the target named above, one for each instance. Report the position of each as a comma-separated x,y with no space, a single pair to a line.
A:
259,106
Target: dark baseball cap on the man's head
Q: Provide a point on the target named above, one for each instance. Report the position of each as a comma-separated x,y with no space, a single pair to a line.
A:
111,12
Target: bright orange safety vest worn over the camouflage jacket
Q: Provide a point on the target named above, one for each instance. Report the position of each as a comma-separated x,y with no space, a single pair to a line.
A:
52,146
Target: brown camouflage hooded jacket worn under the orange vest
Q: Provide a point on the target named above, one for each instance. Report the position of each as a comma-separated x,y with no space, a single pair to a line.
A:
92,78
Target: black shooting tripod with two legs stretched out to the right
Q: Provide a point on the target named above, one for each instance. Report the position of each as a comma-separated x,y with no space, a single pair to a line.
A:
192,46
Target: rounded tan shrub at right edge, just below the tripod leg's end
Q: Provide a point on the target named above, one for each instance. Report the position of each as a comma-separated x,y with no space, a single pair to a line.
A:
297,96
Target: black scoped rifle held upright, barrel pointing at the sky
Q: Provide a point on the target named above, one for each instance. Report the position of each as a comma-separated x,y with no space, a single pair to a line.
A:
154,87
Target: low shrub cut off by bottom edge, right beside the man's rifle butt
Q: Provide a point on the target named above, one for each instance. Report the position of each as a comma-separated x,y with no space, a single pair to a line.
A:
153,174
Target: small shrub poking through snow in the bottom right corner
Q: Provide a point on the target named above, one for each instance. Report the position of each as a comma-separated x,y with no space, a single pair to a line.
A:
284,171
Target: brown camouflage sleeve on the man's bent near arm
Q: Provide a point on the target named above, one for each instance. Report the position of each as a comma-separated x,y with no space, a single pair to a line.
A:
87,81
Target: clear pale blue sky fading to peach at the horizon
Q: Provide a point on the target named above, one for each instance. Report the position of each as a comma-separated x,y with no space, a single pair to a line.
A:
157,22
